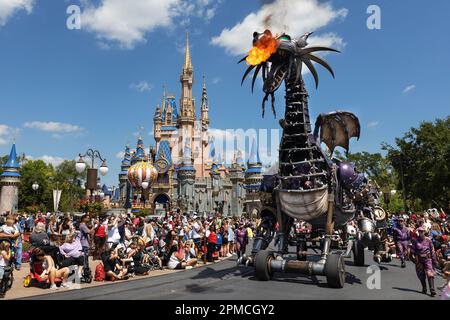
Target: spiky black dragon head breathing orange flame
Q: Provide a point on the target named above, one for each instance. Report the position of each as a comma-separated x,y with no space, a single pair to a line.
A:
281,58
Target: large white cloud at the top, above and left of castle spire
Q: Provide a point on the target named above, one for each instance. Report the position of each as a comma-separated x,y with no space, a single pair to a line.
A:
128,22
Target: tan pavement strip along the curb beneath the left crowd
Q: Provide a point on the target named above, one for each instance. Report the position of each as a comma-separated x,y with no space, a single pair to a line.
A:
19,291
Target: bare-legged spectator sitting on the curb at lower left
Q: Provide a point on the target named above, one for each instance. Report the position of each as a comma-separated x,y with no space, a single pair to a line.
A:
44,267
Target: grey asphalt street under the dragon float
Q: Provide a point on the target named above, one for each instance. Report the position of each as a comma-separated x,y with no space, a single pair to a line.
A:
224,280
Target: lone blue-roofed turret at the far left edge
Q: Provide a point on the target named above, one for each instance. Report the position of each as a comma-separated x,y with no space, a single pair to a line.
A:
9,181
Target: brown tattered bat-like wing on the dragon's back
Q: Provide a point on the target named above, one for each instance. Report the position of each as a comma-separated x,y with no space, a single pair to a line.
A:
337,128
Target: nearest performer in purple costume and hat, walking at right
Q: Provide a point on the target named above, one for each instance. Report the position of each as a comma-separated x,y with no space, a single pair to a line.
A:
423,251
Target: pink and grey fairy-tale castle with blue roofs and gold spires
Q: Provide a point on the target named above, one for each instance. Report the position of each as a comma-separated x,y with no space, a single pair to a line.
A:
182,167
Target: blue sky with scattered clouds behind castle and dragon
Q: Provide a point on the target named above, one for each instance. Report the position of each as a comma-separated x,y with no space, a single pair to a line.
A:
62,91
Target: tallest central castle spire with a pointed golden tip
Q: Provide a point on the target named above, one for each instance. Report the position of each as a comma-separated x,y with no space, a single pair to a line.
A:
187,118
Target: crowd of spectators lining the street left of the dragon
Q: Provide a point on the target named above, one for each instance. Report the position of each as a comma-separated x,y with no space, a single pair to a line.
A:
125,245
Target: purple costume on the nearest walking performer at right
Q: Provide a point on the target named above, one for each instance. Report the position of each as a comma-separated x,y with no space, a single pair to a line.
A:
424,251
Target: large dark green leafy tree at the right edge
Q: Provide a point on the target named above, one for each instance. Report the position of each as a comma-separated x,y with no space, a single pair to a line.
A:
422,160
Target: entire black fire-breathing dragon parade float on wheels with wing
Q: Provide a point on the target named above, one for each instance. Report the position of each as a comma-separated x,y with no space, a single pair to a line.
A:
309,185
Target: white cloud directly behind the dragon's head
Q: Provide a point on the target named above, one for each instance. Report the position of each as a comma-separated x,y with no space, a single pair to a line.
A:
295,17
